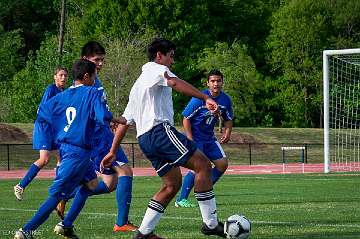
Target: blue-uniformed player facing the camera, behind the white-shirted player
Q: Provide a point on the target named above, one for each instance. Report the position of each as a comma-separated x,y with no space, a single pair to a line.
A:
199,124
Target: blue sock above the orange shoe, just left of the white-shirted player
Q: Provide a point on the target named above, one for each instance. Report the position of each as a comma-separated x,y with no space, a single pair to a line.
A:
123,198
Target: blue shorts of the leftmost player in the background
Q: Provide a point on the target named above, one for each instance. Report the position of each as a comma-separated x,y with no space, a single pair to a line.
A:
43,137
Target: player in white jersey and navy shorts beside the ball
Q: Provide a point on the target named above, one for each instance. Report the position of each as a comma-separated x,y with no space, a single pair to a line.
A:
150,107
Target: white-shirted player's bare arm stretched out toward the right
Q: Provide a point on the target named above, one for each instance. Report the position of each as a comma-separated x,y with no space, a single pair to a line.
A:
188,89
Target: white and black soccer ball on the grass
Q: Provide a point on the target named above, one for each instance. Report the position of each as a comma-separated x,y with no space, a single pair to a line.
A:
237,227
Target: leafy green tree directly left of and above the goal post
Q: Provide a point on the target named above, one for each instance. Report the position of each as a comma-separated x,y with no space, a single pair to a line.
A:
301,30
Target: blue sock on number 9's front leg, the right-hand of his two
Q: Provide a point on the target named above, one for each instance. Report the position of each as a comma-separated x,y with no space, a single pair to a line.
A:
78,203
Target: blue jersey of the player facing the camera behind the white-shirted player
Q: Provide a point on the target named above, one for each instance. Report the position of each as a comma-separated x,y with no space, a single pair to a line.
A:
202,121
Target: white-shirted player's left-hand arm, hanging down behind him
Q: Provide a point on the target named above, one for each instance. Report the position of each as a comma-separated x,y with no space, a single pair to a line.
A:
111,156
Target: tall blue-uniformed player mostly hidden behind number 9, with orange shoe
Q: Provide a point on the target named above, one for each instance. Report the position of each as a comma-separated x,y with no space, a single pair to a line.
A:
119,176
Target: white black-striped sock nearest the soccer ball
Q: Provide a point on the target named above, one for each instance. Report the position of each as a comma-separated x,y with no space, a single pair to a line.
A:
207,205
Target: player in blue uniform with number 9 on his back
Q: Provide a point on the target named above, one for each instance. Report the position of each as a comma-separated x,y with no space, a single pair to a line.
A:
73,115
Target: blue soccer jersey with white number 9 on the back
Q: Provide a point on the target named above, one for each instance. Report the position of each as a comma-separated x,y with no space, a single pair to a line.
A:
74,113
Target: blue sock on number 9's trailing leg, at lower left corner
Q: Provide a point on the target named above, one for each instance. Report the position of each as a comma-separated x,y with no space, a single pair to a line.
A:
42,214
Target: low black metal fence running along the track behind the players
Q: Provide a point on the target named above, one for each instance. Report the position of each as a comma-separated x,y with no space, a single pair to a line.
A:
21,156
